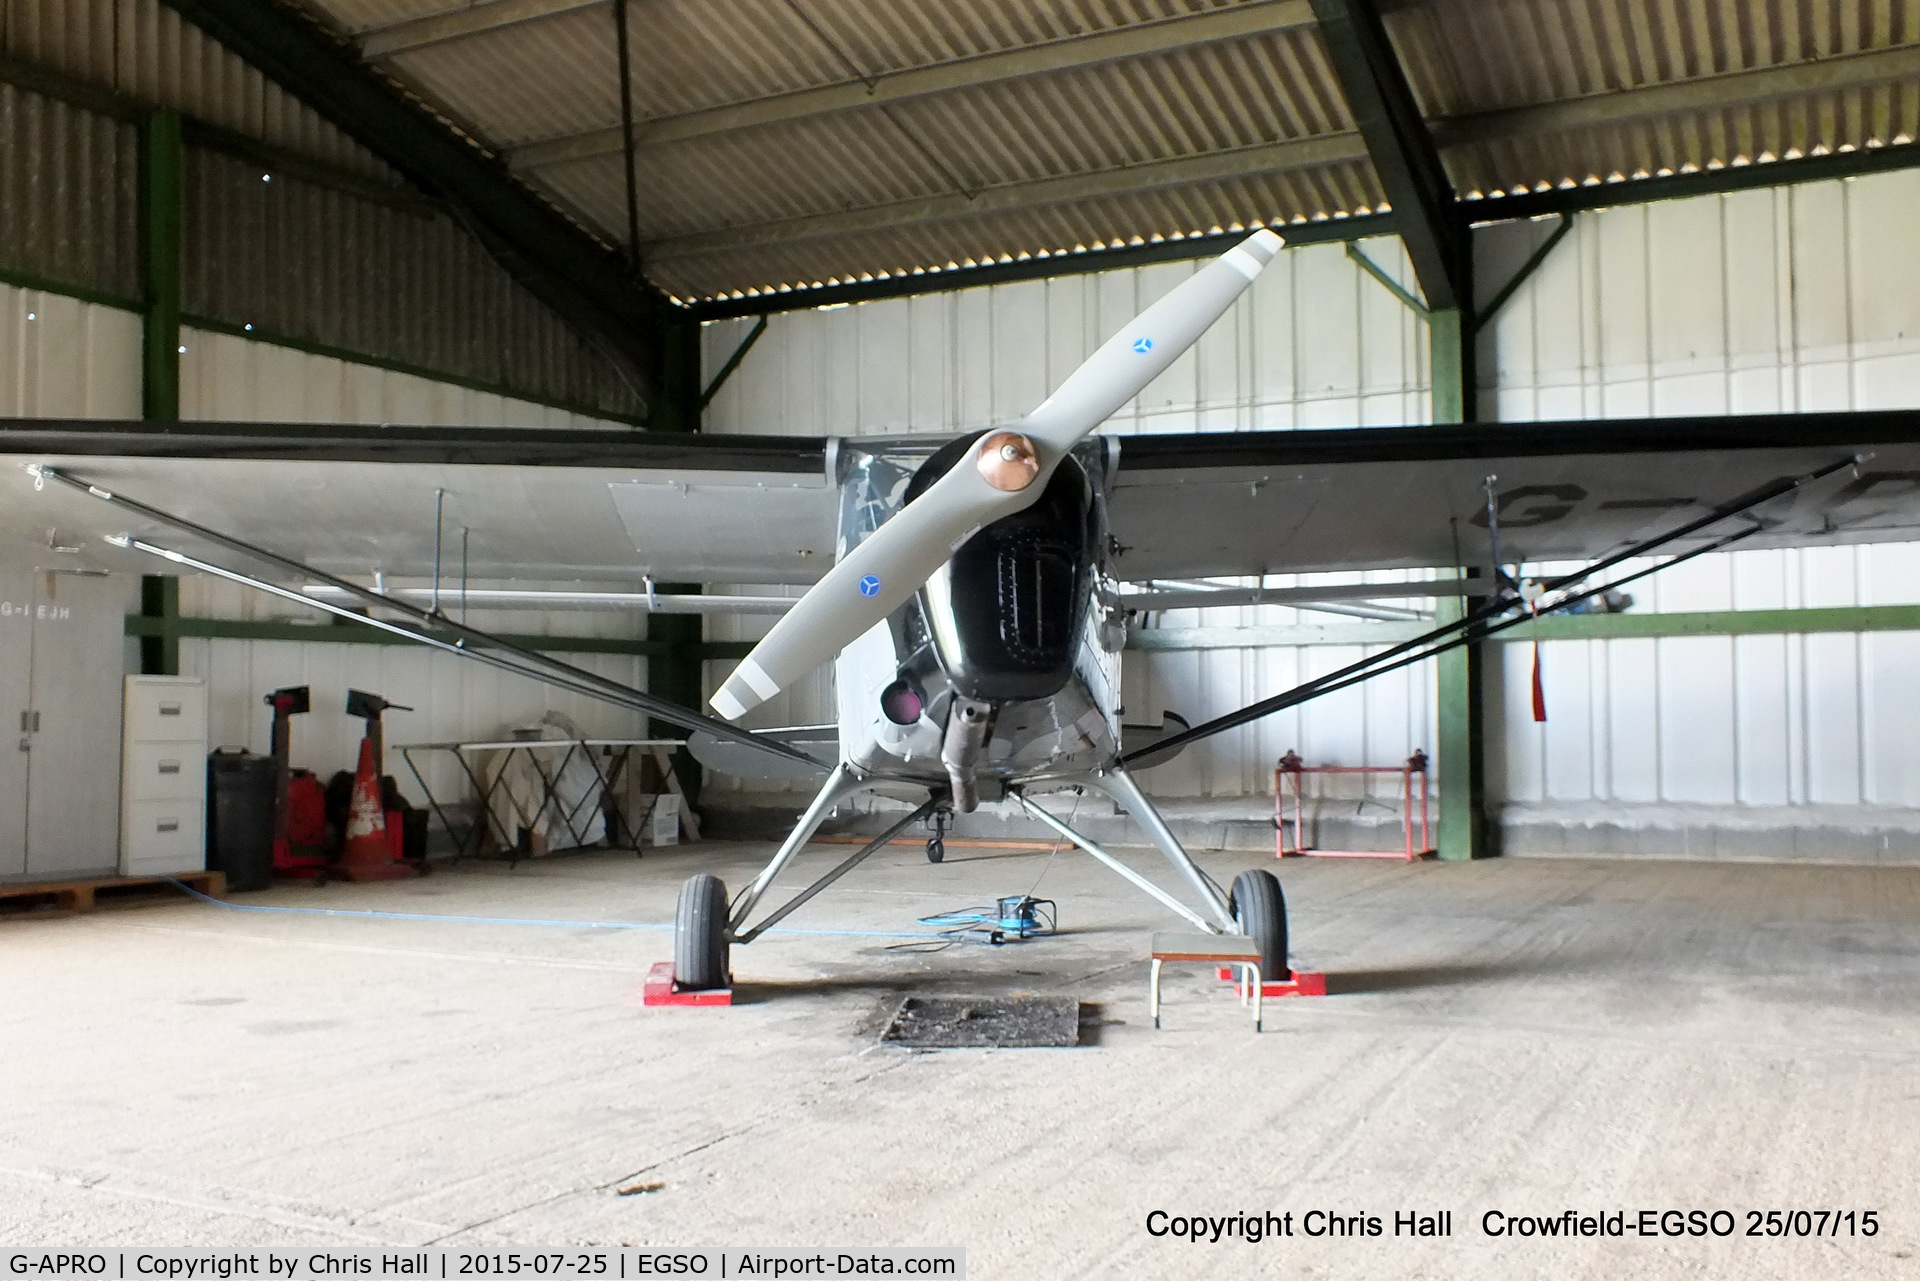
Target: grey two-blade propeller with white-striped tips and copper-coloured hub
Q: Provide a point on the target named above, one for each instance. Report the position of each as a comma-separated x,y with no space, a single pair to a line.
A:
1005,473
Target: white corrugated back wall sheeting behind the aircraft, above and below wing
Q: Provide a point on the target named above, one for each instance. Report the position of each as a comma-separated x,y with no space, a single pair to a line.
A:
1775,301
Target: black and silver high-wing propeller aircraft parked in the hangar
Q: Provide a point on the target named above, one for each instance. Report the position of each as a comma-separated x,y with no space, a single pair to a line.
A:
980,589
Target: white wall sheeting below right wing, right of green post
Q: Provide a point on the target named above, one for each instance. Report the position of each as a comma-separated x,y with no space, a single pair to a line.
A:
1754,721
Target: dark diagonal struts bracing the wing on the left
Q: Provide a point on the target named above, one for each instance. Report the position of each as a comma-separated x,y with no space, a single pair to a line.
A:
469,642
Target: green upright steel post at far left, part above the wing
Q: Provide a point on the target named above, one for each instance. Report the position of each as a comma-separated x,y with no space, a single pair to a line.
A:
160,266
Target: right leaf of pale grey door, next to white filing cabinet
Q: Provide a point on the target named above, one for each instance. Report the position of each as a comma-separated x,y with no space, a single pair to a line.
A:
76,725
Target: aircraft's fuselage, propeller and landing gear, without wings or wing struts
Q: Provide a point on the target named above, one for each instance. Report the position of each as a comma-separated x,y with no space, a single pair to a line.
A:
971,650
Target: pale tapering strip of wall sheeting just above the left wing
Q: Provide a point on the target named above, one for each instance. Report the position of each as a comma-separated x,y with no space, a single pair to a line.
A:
241,381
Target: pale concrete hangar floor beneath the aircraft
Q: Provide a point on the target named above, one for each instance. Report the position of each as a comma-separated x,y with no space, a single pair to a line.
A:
1522,1036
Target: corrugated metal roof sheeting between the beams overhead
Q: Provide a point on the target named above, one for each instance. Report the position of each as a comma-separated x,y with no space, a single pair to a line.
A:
786,153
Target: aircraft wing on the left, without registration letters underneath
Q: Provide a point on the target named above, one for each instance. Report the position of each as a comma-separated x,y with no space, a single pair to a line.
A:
354,500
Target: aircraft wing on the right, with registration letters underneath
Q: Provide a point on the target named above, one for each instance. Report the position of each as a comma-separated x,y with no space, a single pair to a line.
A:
1416,496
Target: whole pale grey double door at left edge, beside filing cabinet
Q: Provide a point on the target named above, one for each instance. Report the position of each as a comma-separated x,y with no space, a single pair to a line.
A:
60,694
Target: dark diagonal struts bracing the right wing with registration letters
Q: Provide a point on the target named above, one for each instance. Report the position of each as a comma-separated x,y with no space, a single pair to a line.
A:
1481,623
